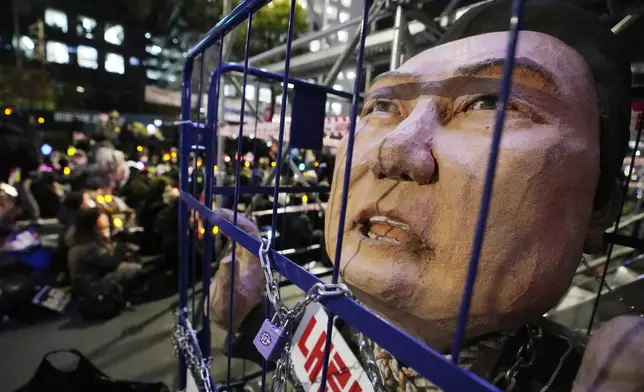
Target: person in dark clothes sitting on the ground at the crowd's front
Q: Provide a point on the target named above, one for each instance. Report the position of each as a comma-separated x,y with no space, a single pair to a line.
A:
93,257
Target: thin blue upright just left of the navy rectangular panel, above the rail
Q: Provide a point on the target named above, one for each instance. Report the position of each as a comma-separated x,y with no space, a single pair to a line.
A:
280,140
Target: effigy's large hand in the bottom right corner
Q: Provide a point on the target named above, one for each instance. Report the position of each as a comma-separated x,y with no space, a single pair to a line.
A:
614,358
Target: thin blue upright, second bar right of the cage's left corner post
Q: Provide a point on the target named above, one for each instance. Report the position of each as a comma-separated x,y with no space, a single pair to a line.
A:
236,200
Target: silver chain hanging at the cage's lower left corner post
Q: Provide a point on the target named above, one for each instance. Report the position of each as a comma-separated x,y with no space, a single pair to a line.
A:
184,339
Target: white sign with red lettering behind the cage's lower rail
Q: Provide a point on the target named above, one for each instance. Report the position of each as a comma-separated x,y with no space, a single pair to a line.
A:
345,373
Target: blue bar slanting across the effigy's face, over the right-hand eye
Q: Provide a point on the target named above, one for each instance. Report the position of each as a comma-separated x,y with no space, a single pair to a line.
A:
479,236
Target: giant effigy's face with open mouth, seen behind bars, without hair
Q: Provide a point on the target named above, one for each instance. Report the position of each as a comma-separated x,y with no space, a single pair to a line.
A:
419,163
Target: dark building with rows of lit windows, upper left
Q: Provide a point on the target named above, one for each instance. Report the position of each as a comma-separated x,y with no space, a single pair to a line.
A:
93,63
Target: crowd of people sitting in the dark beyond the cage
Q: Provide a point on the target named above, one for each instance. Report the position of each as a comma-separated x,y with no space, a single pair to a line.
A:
113,196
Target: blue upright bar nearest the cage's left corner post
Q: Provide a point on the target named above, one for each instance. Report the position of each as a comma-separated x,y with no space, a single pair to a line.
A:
212,114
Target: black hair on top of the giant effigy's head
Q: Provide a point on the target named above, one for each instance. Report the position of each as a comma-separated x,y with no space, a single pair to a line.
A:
581,31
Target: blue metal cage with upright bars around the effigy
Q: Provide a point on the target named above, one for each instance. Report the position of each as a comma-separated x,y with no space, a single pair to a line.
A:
199,135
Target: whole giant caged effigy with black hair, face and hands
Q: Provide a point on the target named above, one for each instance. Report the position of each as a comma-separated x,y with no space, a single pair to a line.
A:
418,171
